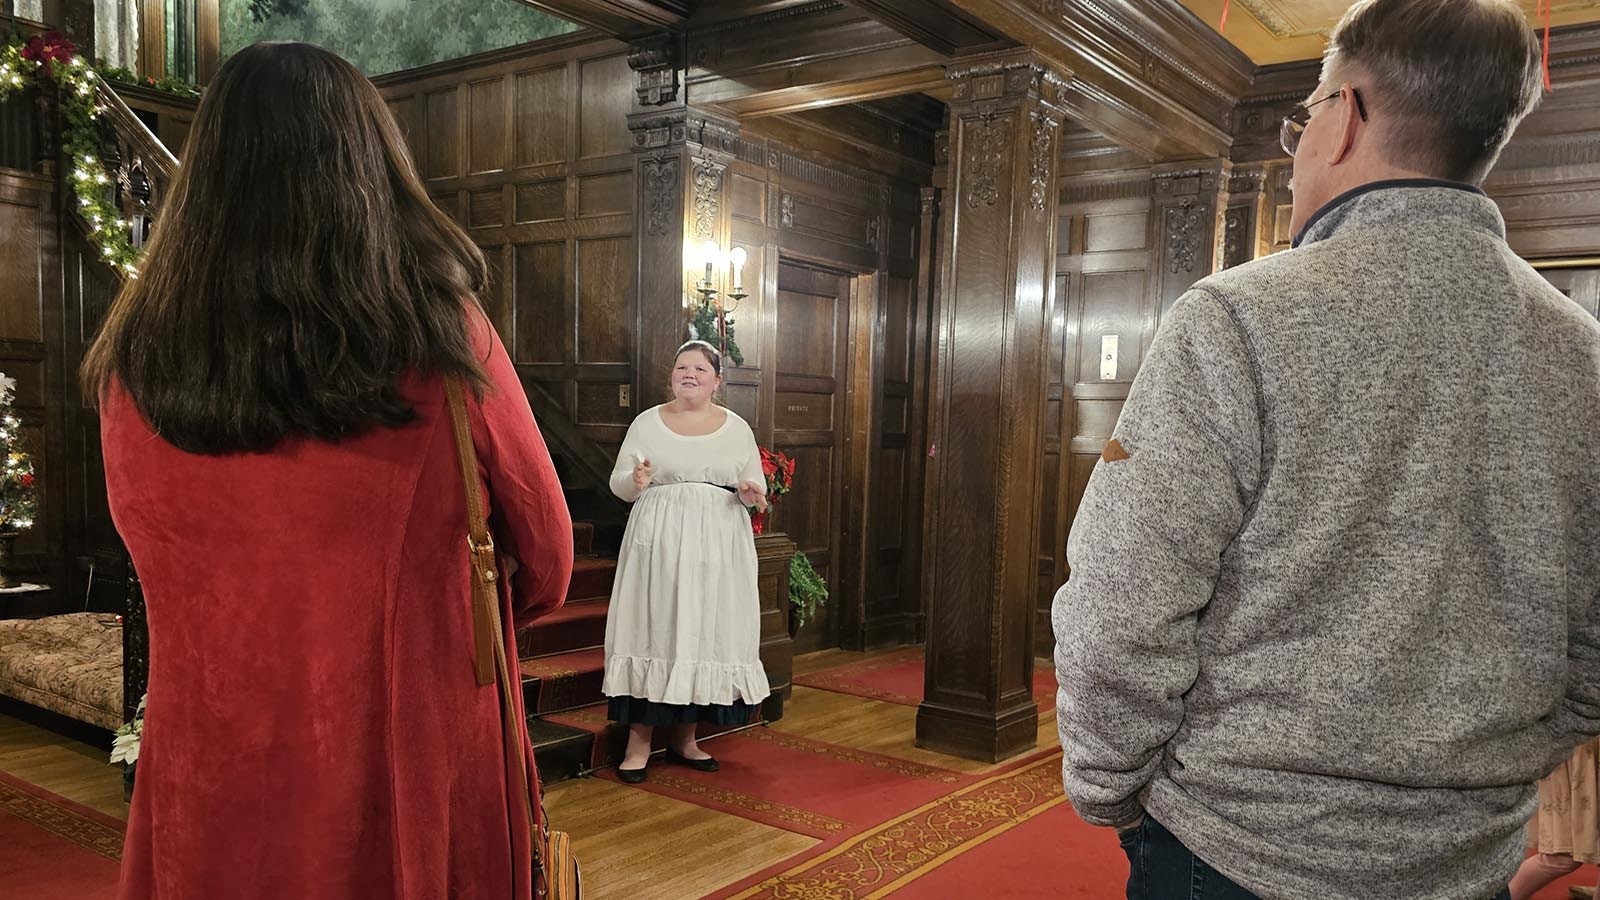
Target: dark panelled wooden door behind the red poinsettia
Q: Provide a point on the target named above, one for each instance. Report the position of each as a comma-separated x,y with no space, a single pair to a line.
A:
809,424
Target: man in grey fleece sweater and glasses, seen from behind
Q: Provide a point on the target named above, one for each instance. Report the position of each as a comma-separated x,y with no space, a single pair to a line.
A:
1332,609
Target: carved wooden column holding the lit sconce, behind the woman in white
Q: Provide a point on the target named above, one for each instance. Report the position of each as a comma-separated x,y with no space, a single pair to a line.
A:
679,163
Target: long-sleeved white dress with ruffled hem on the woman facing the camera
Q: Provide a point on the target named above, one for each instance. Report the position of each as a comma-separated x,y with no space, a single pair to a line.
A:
684,625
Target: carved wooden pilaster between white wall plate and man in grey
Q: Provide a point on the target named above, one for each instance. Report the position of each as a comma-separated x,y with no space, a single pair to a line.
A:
1188,206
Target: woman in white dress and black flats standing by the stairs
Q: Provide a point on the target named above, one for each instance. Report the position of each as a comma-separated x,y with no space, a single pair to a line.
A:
682,641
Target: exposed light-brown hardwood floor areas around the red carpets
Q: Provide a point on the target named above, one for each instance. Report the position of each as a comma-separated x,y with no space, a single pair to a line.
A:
634,845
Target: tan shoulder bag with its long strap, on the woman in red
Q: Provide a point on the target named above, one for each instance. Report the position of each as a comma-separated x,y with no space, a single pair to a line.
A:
554,864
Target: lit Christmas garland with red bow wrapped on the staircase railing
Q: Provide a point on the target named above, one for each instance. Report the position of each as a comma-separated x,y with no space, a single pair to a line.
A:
54,57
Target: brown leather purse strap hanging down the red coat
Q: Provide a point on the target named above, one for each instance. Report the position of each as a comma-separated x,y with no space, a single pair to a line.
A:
490,645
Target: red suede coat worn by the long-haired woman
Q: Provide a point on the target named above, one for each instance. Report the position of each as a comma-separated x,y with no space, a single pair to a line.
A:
314,729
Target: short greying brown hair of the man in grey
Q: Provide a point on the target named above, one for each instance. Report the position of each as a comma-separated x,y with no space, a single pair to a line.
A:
1449,81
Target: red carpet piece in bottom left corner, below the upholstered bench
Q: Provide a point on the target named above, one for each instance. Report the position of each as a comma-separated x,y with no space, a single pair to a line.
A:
55,850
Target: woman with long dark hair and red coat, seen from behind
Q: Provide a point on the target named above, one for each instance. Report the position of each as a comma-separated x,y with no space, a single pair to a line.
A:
281,464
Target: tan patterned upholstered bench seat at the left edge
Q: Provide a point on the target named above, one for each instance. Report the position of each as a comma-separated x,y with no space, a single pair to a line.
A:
66,664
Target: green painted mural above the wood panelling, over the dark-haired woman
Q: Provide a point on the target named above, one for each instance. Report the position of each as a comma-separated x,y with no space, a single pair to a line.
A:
386,36
